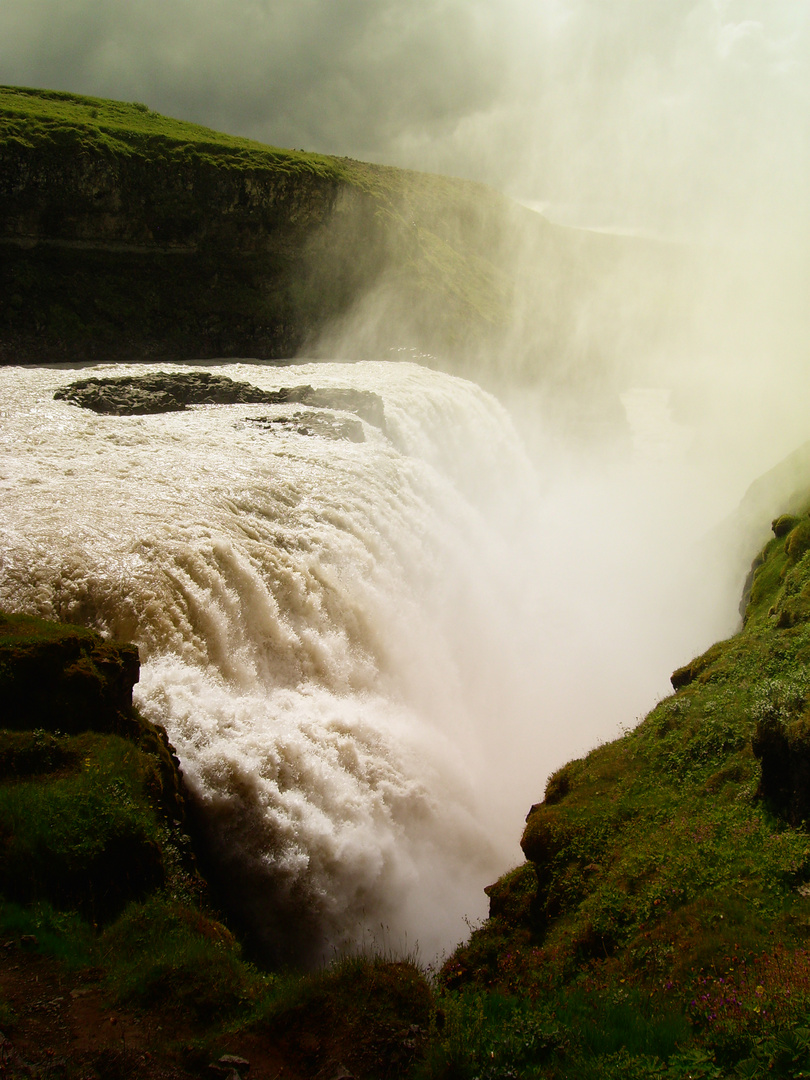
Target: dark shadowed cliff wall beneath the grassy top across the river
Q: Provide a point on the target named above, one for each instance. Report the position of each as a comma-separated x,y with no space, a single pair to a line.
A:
131,258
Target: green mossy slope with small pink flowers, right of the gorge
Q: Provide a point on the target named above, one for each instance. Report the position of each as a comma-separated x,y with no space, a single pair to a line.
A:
670,870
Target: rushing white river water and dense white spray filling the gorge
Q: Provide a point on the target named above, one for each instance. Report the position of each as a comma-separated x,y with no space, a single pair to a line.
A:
370,655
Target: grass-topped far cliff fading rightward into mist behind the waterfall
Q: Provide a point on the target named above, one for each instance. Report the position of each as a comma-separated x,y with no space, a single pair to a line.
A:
130,236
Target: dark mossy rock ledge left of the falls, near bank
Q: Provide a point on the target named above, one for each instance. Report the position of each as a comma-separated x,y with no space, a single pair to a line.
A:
91,844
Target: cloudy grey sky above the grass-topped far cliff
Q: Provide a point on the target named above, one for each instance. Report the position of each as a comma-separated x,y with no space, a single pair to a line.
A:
640,114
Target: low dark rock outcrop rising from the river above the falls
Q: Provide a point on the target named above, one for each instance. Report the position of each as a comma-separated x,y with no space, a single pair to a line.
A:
133,396
